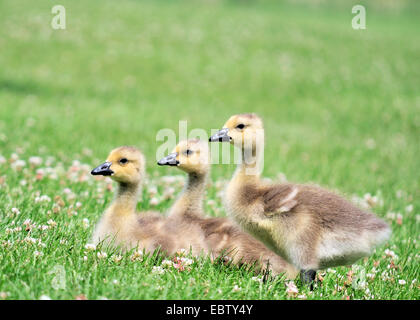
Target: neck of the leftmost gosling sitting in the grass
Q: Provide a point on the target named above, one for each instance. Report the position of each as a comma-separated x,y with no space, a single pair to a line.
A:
125,201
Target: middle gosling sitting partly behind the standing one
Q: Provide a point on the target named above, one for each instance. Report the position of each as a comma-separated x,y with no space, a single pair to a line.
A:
223,237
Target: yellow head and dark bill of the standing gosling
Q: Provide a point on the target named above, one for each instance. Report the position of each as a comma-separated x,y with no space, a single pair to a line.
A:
242,130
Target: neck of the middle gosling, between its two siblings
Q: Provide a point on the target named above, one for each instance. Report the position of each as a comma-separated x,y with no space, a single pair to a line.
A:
190,203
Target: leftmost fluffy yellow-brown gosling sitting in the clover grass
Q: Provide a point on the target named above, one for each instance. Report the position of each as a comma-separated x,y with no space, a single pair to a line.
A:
123,227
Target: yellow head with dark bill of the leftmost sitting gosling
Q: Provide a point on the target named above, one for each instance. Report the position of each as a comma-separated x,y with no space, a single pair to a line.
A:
123,164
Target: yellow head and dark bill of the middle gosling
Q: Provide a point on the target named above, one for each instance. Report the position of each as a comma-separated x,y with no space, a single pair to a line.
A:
191,156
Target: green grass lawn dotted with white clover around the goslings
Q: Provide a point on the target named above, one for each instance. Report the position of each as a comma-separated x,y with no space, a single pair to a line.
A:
341,108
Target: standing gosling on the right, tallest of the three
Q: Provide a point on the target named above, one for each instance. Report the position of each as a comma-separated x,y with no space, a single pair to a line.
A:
310,227
